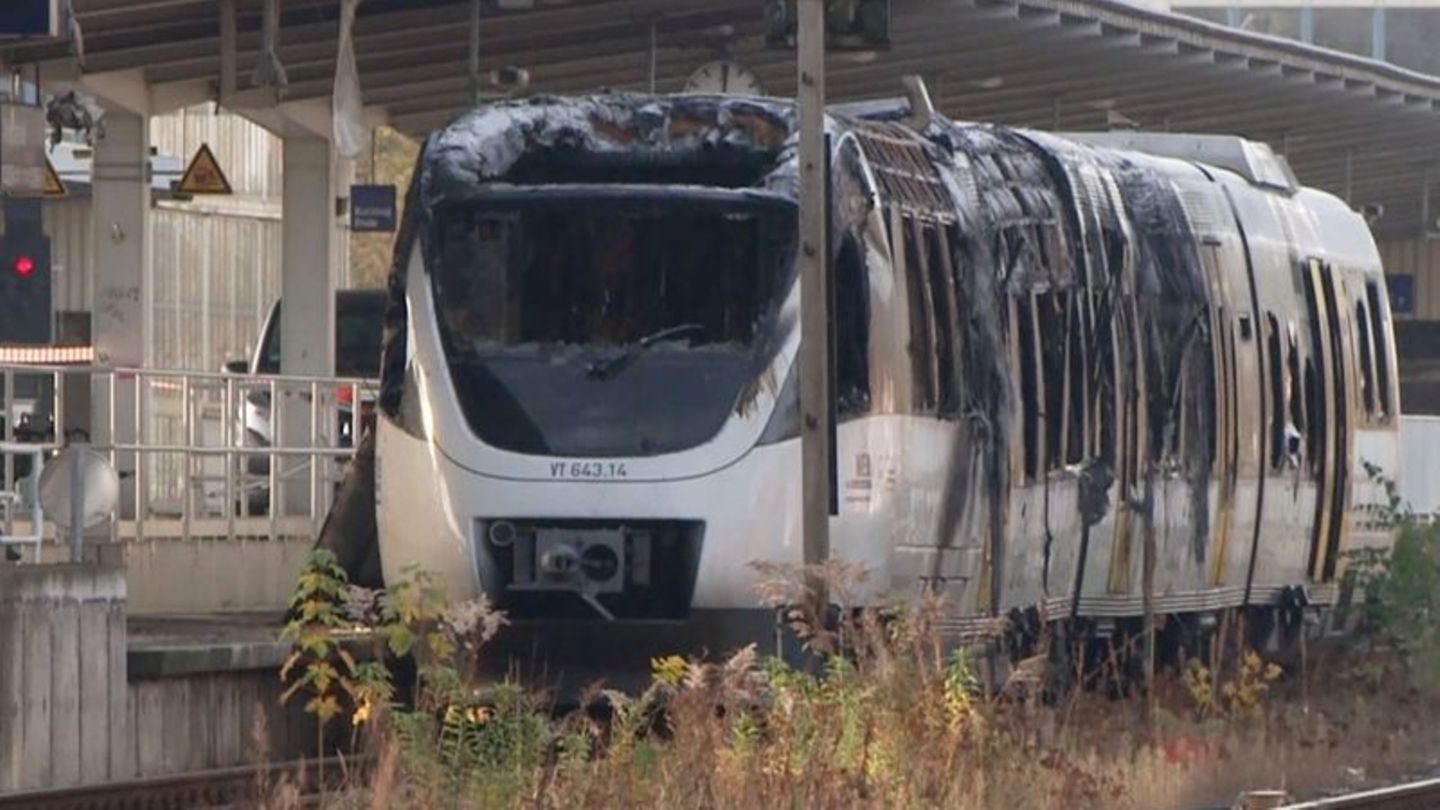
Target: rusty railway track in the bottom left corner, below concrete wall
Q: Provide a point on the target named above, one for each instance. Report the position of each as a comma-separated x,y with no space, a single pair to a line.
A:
224,788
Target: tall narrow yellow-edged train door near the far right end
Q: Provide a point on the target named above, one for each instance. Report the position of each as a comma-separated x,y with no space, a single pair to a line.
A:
1330,393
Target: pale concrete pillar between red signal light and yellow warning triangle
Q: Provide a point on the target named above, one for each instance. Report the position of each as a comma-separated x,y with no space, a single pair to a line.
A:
122,306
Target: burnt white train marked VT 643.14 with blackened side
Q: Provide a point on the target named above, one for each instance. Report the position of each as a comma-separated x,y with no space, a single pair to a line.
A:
1048,352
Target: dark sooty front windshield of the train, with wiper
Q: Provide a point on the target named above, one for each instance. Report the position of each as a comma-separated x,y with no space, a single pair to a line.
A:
606,326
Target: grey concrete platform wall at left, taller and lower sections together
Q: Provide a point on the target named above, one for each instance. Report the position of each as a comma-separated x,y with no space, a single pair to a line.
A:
83,701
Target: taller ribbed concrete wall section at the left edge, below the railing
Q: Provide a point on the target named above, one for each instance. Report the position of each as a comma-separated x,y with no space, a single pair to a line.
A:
64,701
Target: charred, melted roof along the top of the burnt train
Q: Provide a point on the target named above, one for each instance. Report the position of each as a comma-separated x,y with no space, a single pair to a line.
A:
742,143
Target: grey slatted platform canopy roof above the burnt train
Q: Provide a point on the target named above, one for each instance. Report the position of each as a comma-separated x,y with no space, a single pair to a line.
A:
1364,130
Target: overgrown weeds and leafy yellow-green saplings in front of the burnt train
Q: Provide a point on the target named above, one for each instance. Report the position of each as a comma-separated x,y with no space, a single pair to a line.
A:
879,713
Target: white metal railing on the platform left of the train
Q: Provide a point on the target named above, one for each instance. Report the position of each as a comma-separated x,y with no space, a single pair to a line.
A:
201,455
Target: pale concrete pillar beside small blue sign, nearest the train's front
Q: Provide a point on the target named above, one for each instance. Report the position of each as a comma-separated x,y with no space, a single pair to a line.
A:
307,344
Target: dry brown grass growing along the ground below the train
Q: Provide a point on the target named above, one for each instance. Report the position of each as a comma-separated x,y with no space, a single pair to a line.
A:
885,718
